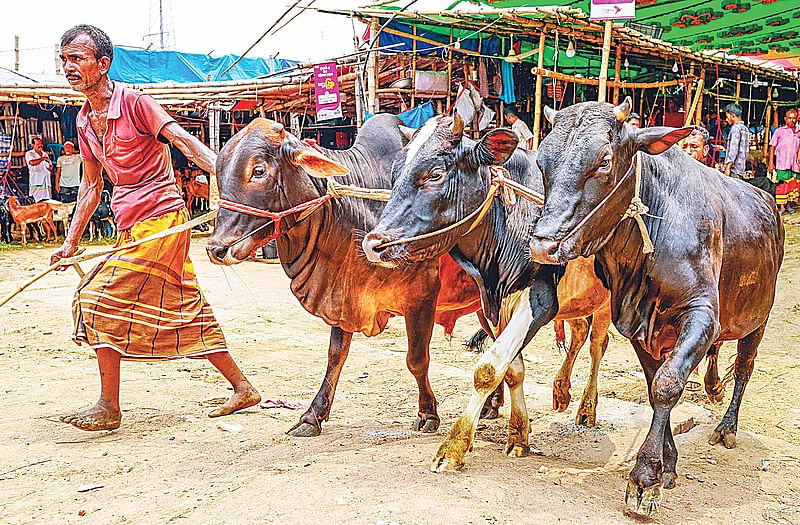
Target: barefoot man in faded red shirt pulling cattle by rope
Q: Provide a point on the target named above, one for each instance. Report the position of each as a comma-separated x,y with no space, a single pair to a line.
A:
142,303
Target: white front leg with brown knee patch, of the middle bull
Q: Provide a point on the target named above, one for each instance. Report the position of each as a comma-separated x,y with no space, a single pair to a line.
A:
538,306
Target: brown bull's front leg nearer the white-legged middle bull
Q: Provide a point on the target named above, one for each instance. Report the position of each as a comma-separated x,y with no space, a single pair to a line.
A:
419,328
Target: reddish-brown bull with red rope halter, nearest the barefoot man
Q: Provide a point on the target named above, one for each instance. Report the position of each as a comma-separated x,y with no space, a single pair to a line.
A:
266,168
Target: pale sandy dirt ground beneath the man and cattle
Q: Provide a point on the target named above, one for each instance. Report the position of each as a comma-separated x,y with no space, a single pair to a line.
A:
170,463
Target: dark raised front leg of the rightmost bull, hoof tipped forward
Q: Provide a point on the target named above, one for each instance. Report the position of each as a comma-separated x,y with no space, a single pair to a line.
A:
698,329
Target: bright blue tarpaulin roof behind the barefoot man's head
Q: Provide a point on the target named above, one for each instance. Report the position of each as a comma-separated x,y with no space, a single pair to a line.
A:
138,66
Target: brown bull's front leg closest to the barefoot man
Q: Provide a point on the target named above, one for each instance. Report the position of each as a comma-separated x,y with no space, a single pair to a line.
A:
310,423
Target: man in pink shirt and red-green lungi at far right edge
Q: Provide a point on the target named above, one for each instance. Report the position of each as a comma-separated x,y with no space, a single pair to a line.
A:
783,151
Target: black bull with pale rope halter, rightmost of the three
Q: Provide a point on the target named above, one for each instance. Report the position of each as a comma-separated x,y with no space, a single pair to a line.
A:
718,248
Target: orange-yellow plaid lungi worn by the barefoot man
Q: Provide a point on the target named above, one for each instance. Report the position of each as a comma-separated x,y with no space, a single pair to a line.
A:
144,302
